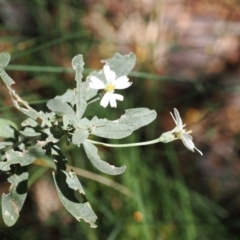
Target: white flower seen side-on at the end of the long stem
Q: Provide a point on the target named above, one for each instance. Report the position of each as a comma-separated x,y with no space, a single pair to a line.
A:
180,133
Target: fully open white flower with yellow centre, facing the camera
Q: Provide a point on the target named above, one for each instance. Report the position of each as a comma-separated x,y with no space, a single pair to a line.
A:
109,87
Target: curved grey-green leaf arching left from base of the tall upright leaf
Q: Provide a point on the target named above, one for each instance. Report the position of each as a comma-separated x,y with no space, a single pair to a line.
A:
59,107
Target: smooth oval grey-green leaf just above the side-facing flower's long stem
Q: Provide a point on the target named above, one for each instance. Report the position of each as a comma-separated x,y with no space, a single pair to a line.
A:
112,130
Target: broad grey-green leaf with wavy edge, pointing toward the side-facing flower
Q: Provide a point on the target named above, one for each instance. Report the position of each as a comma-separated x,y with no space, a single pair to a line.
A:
137,117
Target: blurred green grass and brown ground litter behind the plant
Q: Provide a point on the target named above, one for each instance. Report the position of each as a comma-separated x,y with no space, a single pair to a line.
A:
188,57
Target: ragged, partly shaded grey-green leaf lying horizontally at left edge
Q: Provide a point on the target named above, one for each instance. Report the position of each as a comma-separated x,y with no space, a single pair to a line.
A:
22,158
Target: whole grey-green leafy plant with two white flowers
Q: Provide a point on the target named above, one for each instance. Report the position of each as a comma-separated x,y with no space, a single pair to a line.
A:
40,133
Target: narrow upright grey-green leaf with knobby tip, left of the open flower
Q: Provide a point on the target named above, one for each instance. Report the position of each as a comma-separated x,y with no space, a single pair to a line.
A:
80,93
